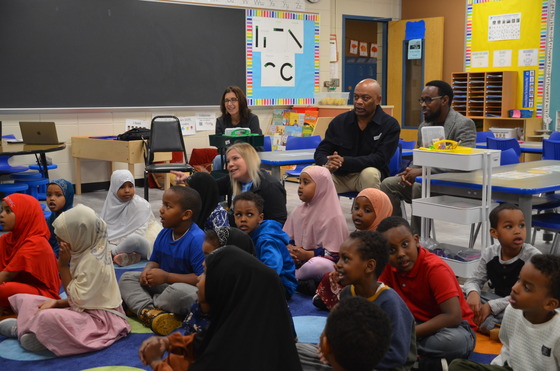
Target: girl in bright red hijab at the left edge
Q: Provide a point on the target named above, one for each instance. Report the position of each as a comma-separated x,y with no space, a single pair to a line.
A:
27,261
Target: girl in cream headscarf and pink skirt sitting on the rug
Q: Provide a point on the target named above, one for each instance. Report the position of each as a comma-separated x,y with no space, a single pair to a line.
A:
92,317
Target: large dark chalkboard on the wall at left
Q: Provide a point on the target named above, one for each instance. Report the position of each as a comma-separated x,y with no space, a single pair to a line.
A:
118,53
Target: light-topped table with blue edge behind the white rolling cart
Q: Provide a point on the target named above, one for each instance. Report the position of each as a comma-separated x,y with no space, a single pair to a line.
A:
535,177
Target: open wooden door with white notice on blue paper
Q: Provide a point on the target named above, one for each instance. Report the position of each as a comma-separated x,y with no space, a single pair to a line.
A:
412,63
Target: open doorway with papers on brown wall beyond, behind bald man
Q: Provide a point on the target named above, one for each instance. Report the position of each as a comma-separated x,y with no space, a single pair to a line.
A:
363,56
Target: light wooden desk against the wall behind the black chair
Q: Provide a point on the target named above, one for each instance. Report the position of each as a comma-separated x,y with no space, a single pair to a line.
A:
130,152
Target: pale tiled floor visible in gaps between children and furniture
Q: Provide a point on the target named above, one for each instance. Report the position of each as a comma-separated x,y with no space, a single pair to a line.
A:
445,232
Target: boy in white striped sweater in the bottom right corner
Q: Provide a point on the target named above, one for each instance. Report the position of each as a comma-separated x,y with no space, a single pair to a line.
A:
530,330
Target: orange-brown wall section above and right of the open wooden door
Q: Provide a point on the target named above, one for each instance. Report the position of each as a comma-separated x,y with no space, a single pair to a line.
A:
454,13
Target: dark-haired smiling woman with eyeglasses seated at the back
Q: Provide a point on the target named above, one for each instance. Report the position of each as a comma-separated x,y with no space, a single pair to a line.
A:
235,113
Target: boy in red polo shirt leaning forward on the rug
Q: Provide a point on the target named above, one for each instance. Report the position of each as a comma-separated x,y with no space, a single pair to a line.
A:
444,321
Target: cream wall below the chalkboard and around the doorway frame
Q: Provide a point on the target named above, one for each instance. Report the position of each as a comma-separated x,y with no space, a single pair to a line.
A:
90,122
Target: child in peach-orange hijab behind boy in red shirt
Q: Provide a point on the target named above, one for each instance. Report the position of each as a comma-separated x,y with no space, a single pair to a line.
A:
370,207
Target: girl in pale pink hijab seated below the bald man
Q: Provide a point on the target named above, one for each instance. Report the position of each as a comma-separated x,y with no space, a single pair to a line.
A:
317,227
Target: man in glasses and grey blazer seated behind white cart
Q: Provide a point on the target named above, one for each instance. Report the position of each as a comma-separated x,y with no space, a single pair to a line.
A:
436,101
